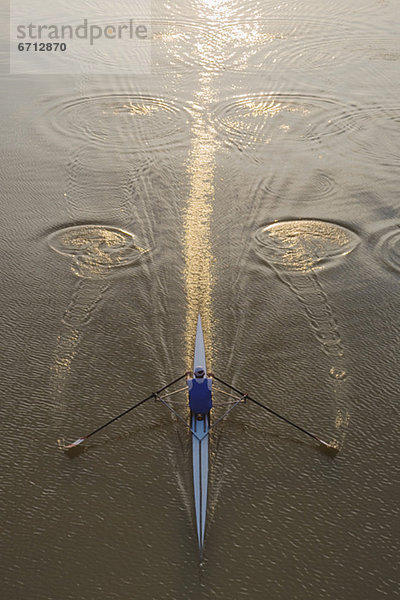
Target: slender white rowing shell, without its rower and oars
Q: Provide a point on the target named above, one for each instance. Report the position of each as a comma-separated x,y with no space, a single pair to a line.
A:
200,431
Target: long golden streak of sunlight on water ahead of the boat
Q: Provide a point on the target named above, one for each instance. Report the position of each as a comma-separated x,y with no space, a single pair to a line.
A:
213,52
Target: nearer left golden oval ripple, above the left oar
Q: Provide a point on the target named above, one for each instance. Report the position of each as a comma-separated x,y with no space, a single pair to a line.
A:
96,249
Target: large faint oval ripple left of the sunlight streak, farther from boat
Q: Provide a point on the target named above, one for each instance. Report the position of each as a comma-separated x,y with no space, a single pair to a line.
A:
121,122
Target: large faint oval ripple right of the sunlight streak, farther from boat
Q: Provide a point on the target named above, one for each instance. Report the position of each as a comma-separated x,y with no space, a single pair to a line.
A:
253,120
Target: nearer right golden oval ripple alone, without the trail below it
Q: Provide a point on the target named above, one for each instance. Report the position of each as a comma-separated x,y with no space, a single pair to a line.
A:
304,244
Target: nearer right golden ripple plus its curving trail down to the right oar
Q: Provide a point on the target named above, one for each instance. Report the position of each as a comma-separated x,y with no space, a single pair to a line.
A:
296,251
